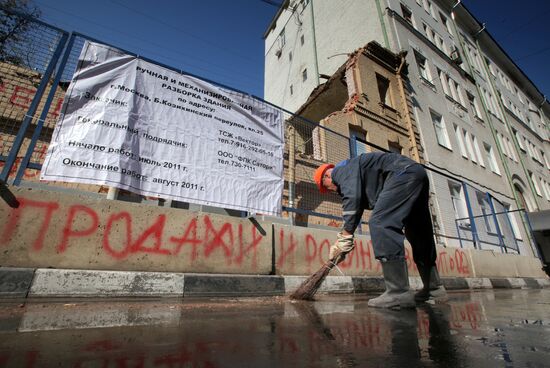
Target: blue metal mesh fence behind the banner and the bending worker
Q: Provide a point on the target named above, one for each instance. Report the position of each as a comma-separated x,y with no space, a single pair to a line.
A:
38,65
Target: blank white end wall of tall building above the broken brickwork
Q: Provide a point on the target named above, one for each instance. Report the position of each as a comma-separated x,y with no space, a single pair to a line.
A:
340,28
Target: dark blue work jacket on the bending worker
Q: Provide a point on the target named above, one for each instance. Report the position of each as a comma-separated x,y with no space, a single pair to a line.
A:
360,181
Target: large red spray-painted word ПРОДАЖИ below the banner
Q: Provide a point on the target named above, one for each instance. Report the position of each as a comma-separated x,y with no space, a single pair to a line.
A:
83,222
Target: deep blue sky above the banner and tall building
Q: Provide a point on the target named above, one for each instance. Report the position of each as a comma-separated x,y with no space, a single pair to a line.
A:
222,40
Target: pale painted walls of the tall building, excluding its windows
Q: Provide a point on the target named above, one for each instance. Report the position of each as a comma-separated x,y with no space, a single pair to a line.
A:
343,26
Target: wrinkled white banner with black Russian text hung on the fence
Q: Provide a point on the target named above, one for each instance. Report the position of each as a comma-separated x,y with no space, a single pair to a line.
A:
137,126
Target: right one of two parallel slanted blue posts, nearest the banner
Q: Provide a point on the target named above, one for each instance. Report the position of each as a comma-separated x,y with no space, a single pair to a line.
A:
44,114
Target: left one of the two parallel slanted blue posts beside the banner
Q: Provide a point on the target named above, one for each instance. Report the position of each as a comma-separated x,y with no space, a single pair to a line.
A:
18,141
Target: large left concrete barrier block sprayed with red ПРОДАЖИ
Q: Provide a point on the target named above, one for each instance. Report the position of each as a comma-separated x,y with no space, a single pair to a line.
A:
49,229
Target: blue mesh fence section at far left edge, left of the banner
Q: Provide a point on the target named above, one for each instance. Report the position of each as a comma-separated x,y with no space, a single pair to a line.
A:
29,50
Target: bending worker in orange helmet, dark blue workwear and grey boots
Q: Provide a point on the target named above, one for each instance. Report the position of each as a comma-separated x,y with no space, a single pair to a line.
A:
396,189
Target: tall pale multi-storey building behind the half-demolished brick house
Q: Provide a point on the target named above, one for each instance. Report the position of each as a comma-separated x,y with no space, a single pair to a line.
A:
479,117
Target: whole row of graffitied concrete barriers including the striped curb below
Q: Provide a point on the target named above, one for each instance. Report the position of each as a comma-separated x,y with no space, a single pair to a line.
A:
88,242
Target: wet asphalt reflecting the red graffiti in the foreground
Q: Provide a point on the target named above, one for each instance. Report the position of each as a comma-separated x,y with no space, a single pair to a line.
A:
493,328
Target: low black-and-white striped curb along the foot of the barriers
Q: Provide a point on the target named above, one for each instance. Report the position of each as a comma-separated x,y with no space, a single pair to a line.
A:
37,283
